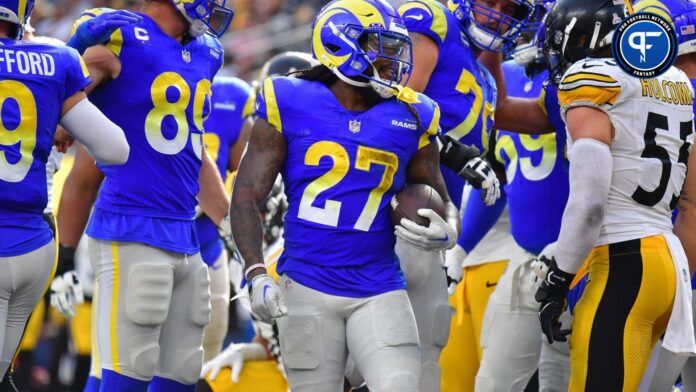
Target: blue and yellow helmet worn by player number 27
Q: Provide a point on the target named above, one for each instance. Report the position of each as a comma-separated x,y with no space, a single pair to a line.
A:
351,36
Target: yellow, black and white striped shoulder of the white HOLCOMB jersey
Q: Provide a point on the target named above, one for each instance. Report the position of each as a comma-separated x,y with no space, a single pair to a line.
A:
591,82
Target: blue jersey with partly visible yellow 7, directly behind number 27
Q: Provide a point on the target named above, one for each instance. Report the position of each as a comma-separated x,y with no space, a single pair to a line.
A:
461,86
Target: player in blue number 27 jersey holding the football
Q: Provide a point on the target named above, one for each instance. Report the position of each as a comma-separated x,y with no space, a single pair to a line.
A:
342,159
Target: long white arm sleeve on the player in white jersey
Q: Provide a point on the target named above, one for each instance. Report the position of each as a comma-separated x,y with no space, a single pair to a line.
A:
590,180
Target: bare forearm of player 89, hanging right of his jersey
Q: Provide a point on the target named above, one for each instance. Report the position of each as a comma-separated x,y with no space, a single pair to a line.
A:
212,196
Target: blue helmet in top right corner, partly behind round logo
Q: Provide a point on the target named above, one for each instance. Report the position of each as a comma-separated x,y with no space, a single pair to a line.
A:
683,15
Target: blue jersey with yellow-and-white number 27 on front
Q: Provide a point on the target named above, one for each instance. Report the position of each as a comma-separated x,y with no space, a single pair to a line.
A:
341,171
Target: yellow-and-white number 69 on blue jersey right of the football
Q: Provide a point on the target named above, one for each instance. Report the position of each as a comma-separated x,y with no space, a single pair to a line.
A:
546,143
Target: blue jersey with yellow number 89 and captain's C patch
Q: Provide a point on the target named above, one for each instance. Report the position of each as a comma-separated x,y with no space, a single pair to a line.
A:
160,99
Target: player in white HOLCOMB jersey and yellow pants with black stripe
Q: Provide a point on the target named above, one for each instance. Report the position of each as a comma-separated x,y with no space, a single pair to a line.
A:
620,205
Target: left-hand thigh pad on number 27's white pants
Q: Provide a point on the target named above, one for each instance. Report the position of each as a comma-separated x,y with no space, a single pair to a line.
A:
300,342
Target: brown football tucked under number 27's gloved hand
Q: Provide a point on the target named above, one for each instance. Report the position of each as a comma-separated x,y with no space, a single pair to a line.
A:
413,197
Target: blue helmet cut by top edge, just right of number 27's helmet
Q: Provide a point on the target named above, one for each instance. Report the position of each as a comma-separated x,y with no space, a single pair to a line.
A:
498,30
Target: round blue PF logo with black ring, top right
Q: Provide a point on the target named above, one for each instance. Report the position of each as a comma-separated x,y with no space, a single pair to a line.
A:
645,45
